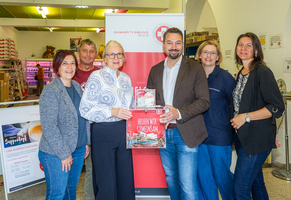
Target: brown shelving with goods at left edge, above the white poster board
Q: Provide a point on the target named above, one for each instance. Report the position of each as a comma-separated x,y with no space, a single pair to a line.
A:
12,81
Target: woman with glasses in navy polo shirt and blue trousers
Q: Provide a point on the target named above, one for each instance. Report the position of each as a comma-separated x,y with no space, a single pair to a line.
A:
216,150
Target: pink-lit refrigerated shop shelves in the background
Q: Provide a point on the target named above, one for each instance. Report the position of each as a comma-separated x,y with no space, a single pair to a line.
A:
47,65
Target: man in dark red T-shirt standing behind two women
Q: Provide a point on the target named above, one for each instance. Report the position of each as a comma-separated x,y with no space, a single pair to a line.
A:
87,51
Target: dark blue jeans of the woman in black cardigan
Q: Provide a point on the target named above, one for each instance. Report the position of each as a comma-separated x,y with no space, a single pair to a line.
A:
248,175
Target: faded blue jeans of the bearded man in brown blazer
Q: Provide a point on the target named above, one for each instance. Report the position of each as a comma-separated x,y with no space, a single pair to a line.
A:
180,165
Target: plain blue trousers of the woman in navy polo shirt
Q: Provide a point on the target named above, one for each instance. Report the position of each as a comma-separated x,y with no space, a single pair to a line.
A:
214,172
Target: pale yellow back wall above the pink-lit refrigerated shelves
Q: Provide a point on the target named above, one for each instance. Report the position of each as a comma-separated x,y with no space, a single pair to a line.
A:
36,42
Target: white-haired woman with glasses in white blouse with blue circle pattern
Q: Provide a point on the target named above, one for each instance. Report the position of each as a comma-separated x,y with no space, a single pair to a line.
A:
106,100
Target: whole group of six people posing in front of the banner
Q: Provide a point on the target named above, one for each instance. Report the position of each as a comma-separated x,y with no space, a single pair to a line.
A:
206,111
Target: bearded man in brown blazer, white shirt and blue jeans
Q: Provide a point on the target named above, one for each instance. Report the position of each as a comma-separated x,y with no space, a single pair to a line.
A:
181,86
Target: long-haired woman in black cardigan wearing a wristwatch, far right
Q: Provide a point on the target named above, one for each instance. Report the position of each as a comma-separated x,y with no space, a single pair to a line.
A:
256,104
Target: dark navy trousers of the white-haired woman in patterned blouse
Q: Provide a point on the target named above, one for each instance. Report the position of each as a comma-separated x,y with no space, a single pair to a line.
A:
112,162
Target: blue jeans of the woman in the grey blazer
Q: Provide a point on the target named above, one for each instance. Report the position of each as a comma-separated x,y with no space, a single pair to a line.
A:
61,184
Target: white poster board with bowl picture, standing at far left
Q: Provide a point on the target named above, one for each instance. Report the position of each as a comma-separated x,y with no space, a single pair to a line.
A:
20,135
